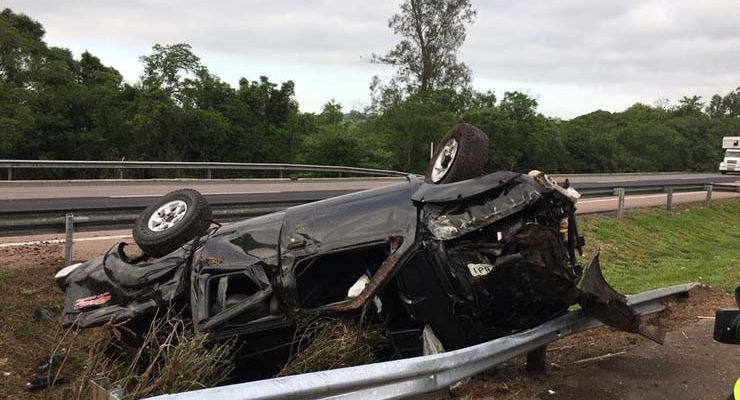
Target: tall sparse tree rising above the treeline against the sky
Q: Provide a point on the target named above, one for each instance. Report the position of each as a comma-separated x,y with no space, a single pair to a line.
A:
426,57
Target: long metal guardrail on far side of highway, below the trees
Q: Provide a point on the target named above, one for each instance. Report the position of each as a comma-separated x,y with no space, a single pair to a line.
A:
10,165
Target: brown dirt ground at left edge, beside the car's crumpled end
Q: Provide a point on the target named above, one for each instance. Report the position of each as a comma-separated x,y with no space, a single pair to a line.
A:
27,284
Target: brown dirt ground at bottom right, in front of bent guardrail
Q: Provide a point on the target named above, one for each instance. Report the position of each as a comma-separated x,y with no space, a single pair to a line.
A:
610,365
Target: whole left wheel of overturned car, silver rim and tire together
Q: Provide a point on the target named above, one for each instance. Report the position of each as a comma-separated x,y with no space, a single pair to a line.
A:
174,219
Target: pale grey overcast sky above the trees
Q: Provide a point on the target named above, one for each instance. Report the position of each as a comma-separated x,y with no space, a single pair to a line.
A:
573,56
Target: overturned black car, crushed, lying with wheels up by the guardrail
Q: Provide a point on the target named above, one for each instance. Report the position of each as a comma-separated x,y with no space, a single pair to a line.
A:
473,260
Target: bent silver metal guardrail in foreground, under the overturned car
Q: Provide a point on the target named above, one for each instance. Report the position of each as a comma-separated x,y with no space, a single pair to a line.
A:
417,376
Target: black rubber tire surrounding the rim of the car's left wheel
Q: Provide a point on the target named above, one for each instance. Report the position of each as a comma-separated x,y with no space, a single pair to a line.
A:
194,223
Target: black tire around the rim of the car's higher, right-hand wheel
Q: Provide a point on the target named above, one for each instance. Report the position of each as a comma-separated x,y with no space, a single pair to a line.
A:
471,156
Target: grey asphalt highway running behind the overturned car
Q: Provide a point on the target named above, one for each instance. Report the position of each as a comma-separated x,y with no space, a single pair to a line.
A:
33,196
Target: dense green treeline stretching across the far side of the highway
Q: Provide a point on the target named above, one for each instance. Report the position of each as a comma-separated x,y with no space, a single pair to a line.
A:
53,106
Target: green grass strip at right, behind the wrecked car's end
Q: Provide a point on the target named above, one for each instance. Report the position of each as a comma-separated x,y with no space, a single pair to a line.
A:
653,248
